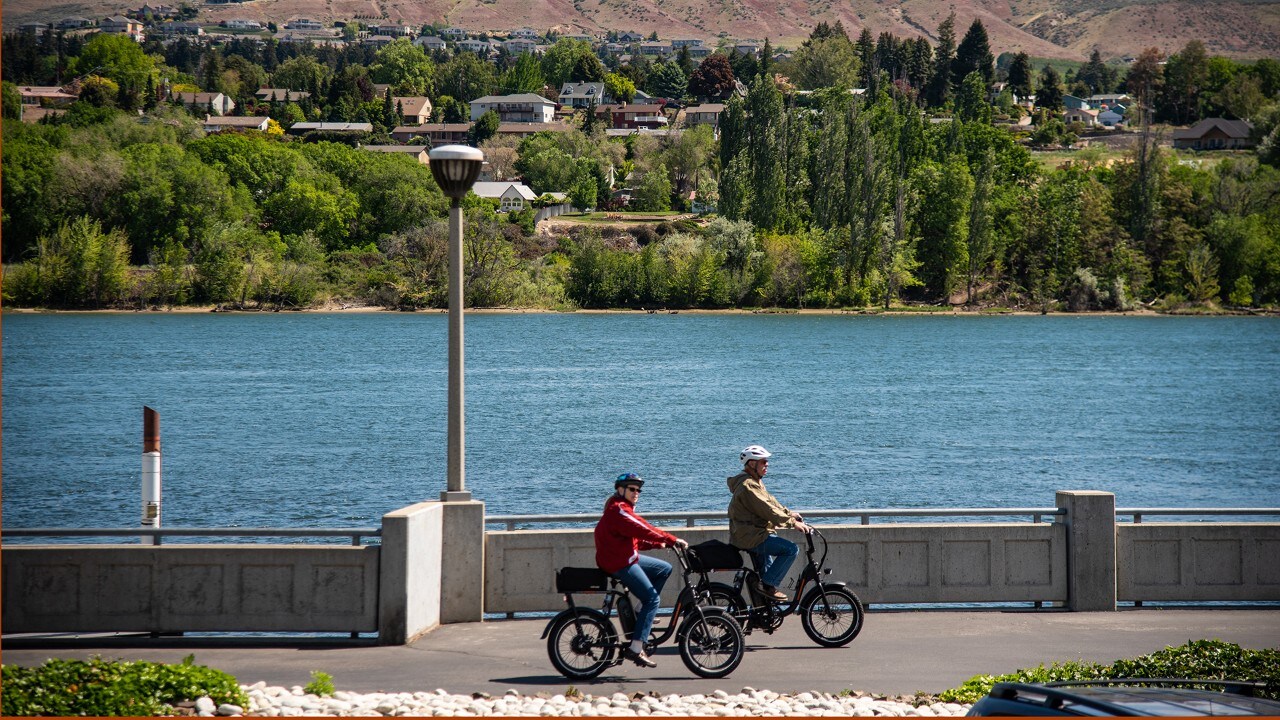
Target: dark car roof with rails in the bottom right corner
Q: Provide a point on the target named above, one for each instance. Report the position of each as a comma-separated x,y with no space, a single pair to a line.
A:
1103,700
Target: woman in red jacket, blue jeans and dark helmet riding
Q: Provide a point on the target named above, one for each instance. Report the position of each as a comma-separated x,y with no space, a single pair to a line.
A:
620,536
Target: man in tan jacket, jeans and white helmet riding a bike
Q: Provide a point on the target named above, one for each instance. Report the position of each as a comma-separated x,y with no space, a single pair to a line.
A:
755,516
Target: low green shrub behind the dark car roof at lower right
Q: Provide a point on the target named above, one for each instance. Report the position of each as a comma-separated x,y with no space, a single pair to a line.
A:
1199,660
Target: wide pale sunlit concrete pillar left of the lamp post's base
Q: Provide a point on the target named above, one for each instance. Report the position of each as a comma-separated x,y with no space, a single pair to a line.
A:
409,584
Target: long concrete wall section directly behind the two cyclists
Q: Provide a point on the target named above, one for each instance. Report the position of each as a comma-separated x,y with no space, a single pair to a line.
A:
907,563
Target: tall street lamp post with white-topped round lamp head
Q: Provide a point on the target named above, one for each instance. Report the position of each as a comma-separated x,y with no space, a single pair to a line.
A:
456,168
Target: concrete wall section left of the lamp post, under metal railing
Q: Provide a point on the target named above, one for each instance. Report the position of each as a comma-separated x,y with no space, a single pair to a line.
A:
191,587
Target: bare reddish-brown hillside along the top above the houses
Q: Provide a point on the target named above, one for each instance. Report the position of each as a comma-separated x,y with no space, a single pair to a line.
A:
1044,29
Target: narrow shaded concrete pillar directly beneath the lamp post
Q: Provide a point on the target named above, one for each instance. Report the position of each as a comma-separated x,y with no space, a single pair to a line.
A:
463,563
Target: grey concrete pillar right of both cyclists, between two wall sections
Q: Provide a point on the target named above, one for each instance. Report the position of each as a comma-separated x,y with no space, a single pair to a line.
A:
1091,549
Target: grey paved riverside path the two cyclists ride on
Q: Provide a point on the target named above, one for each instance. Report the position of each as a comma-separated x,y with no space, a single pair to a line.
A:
897,653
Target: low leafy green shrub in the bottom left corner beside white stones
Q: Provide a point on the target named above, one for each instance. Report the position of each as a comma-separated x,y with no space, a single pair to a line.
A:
113,687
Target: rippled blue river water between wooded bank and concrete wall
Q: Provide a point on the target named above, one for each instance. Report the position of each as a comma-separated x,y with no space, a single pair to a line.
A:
317,421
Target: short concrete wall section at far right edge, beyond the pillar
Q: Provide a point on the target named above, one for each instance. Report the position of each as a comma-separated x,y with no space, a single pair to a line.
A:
1199,562
